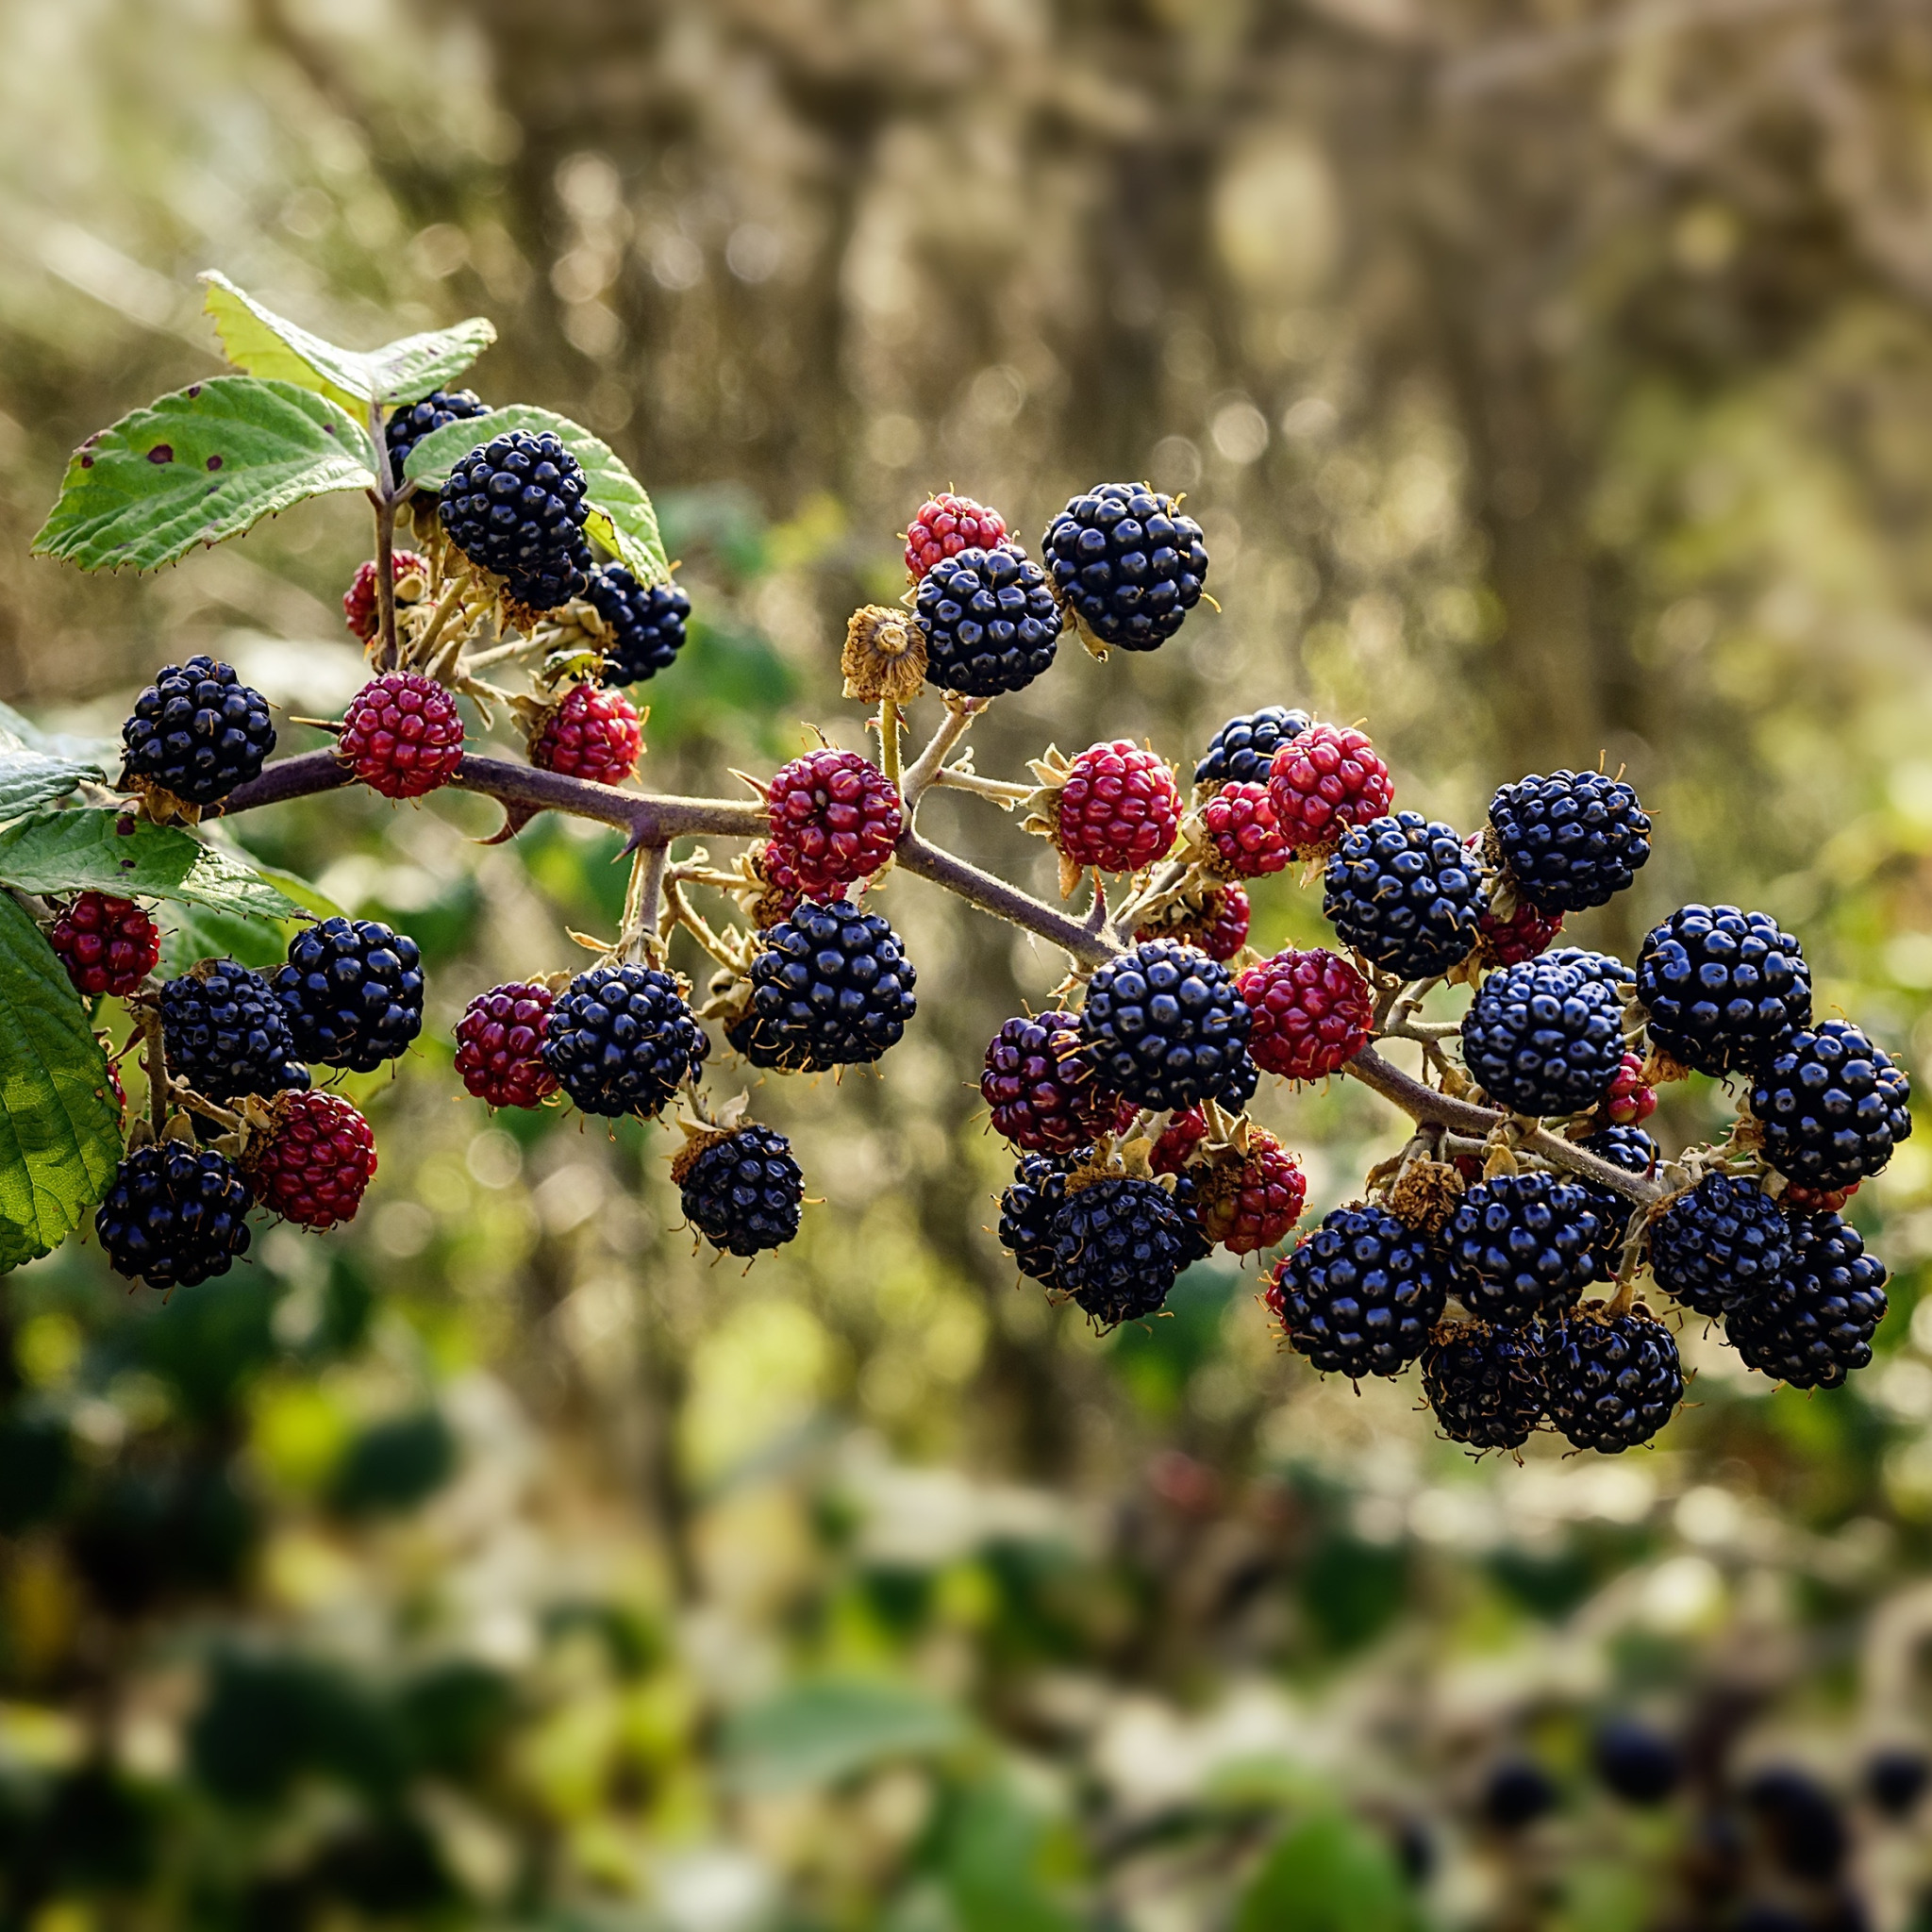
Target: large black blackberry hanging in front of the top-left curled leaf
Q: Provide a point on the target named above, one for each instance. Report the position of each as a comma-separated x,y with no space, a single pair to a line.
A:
517,507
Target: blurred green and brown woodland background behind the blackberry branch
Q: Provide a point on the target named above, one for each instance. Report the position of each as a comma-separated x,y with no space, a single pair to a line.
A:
1554,382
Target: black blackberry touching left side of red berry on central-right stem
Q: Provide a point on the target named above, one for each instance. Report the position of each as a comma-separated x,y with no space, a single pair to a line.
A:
1164,1027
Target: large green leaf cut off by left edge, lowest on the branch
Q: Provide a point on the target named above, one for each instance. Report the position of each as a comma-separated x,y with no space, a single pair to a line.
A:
59,1123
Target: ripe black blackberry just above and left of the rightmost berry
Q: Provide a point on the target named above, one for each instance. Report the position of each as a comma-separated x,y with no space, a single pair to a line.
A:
1720,986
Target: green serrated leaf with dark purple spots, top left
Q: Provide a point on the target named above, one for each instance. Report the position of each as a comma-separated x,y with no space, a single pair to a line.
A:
202,467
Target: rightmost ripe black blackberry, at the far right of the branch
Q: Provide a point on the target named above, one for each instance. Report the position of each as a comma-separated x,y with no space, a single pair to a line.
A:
1833,1106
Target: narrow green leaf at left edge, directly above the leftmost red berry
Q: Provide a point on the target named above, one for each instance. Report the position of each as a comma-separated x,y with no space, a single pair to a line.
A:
107,851
